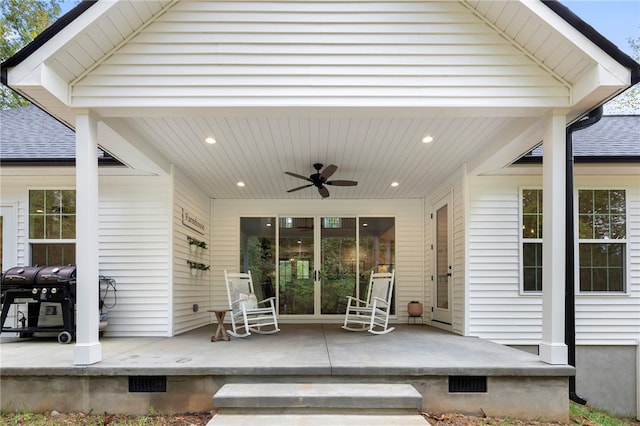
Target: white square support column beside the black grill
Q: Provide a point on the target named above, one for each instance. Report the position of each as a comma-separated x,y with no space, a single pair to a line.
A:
88,349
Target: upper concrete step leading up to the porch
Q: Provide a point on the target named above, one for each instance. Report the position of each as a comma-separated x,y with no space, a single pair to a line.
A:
324,398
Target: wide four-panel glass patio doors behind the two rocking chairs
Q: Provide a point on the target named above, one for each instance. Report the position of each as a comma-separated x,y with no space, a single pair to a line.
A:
312,263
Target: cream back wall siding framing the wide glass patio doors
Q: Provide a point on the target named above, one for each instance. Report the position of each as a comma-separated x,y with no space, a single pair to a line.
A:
409,237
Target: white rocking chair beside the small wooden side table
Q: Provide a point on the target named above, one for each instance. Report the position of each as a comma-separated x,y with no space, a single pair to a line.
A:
247,314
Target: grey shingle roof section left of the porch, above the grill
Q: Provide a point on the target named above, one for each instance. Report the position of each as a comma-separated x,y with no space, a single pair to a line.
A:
30,135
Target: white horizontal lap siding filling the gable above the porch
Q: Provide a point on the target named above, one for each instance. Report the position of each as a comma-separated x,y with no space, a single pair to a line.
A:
293,53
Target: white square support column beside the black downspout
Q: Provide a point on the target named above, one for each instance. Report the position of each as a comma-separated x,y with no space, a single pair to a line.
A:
553,349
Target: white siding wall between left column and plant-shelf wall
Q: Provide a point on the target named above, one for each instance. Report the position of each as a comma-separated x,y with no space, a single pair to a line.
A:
134,250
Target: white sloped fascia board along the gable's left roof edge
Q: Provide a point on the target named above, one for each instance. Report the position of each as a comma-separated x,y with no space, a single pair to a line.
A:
29,65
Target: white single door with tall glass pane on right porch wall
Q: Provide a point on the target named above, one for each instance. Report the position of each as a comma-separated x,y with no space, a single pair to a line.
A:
442,261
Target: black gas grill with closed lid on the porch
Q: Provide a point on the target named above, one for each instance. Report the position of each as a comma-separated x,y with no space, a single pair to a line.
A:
43,287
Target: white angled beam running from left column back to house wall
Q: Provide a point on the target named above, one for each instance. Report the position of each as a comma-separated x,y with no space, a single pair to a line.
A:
130,149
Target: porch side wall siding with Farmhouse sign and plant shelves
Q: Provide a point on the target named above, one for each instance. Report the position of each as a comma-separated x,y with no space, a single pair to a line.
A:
190,290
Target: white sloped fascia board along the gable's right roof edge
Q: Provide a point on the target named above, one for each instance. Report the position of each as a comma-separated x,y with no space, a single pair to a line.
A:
582,43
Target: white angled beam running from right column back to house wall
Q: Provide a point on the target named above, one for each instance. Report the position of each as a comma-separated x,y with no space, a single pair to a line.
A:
504,151
